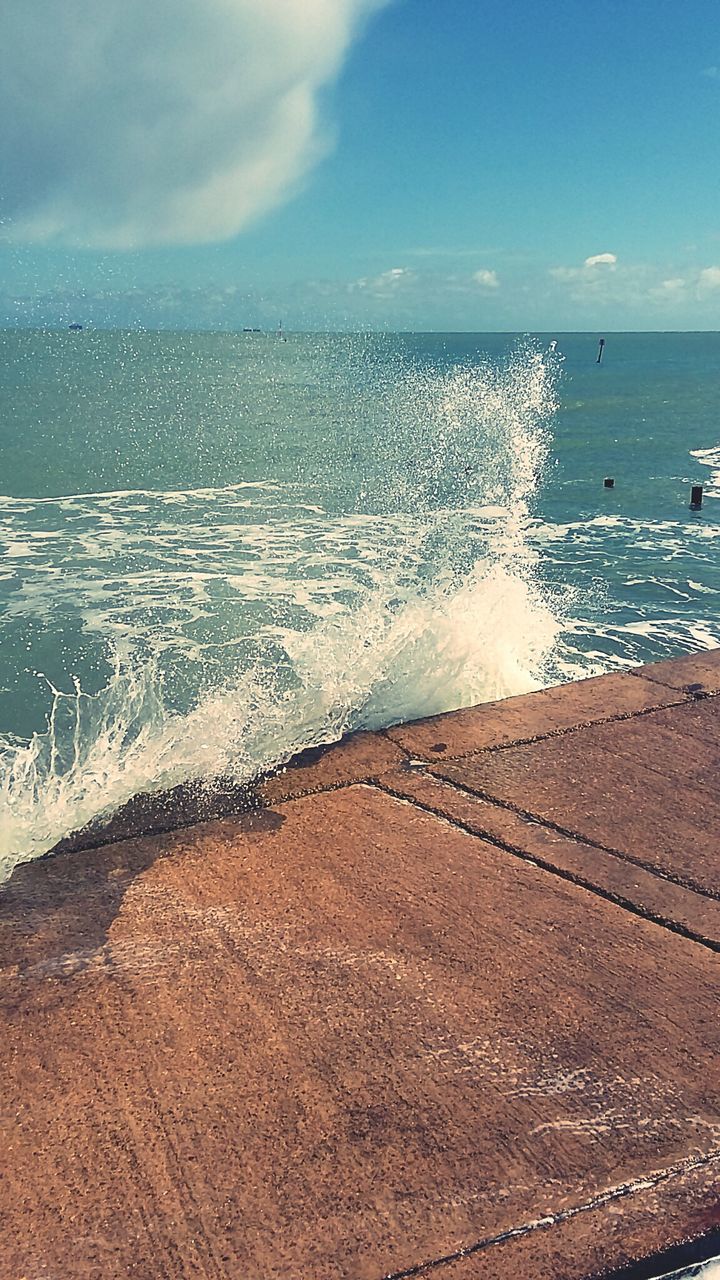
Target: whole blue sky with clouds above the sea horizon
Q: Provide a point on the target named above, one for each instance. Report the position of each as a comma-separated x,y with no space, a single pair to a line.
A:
362,164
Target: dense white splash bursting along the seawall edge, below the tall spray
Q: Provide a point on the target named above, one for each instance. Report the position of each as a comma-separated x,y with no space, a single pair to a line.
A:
382,664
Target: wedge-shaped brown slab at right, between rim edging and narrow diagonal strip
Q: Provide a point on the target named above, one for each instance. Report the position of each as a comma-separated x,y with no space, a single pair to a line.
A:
646,788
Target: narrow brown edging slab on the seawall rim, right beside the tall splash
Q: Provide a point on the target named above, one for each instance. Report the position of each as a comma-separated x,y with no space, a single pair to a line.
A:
531,716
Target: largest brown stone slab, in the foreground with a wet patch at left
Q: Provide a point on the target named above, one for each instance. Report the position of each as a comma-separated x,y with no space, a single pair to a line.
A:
334,1041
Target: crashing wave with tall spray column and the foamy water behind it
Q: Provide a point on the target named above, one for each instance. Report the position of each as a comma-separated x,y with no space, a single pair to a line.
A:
426,601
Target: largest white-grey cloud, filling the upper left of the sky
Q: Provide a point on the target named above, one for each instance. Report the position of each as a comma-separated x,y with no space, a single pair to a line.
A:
162,122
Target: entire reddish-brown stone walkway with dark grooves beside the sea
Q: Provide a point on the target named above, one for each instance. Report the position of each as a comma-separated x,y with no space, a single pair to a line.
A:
445,1004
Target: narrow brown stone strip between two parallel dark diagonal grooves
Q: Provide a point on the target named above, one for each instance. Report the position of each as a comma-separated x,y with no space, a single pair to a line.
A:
658,898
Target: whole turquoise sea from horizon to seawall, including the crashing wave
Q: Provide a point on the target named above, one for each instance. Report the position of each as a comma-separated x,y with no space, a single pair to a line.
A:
221,548
